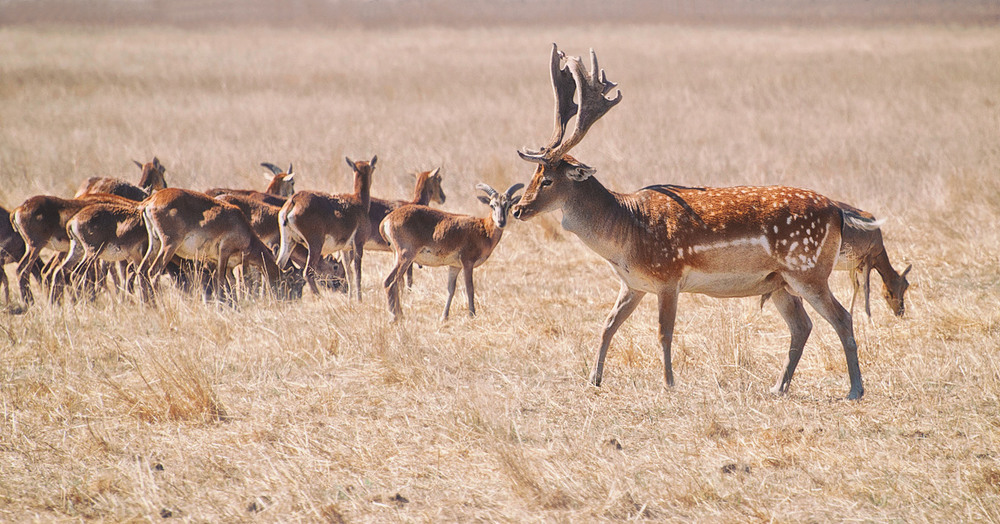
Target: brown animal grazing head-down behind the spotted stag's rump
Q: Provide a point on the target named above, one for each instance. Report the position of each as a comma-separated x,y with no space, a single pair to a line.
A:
862,250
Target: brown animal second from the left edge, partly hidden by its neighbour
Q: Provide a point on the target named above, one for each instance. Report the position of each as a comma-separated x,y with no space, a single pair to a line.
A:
41,221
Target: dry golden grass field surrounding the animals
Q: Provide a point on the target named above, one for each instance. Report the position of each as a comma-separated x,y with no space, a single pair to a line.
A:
320,410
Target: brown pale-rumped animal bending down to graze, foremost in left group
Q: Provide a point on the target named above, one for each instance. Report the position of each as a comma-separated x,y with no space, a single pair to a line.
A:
195,226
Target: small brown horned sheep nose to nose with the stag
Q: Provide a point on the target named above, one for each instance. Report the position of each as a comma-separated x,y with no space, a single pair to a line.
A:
431,237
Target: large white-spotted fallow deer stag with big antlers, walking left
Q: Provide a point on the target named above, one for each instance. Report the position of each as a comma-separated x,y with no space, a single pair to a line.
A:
666,239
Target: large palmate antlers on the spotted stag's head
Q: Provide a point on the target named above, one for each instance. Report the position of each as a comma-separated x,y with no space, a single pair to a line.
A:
594,103
